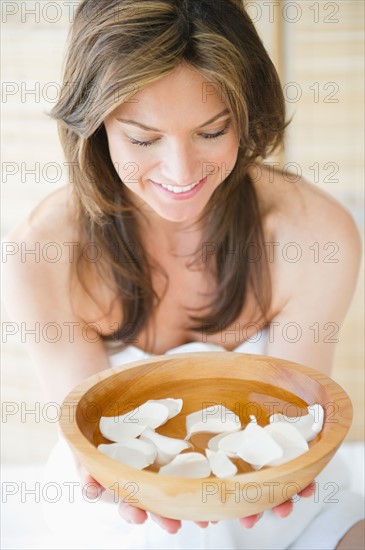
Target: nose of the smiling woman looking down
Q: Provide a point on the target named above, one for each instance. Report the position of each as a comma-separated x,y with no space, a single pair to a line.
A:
180,165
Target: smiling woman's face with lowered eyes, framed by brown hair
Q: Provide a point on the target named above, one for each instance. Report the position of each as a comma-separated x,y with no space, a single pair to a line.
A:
173,143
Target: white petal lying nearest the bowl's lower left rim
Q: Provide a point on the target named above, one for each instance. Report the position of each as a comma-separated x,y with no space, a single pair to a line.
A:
135,453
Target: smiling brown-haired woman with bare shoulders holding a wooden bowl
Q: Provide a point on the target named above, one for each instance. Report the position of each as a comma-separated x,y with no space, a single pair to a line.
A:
172,229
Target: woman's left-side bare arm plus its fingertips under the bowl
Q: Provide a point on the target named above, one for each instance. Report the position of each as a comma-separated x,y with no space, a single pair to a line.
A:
38,292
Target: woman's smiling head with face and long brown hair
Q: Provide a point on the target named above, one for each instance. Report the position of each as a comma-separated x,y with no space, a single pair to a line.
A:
203,67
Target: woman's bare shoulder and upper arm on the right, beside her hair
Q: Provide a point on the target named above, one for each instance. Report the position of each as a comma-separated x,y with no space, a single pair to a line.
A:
316,255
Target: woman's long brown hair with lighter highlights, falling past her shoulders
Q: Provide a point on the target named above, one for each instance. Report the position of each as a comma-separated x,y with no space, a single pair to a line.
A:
118,47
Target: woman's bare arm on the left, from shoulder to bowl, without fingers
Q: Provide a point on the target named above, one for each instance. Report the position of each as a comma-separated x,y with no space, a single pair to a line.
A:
65,349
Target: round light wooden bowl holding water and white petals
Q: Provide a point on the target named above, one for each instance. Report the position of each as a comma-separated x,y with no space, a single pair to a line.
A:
246,384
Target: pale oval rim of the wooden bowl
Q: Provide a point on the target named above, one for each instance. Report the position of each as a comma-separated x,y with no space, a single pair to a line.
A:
72,433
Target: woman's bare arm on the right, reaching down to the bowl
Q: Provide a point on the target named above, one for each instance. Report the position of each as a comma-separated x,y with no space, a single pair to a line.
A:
319,286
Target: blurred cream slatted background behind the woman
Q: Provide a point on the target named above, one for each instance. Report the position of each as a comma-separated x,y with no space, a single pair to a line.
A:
317,48
